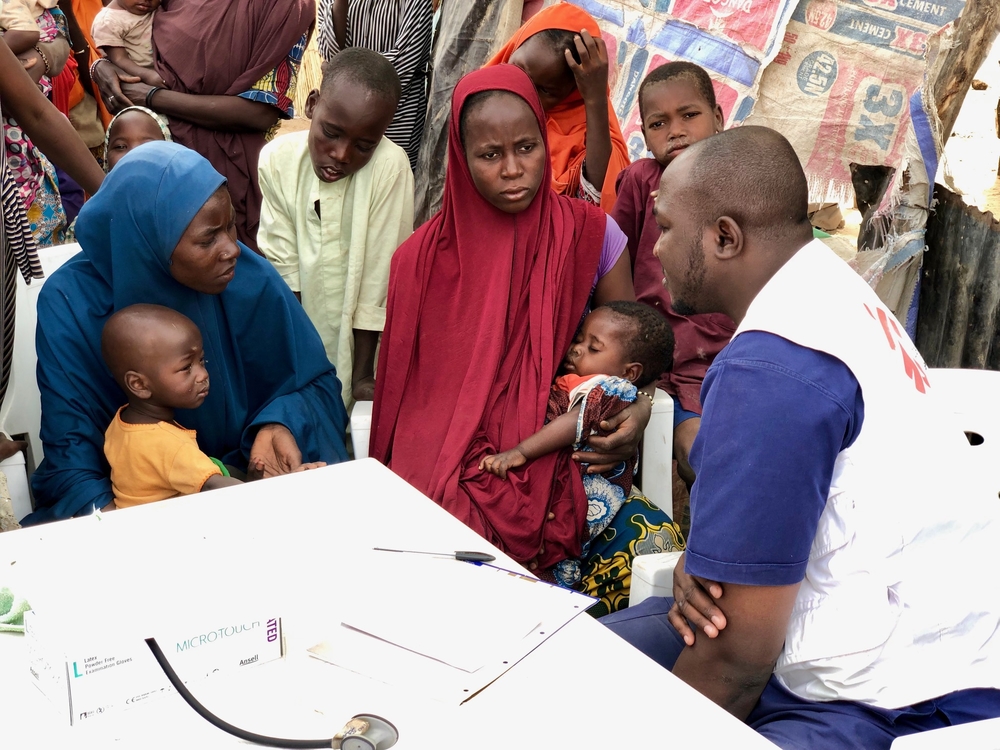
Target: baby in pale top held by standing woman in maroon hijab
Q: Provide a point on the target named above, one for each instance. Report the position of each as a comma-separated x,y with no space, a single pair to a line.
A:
124,32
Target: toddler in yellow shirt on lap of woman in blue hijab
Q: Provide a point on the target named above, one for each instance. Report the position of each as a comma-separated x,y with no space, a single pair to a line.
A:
156,356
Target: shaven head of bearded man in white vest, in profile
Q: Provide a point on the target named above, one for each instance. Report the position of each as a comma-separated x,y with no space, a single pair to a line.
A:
732,211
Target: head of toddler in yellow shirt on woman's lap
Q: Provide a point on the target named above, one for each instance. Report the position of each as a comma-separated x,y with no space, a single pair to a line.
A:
156,356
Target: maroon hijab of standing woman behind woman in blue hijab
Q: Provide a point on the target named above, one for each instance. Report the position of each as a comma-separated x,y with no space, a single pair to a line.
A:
223,47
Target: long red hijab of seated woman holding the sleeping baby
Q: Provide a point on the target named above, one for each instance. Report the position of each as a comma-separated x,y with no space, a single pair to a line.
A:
482,307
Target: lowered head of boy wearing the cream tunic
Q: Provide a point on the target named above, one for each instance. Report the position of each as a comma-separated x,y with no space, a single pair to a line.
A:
350,112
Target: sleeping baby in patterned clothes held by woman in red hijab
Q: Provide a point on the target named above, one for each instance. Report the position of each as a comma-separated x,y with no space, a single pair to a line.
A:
620,348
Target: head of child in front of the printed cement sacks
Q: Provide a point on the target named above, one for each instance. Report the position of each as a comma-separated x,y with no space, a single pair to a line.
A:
677,107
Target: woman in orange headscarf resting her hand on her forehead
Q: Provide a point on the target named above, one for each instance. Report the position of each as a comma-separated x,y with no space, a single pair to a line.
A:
561,50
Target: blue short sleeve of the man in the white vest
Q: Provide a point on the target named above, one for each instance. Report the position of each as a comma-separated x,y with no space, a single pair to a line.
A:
776,417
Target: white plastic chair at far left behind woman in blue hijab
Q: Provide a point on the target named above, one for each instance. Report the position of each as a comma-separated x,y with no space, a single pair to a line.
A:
21,410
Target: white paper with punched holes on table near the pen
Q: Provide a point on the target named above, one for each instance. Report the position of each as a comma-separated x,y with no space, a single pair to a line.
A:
480,622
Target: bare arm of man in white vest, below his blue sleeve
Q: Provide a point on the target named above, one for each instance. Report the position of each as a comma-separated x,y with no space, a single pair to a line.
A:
733,668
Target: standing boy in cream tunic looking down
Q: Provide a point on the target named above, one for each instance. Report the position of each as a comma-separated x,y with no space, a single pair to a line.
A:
337,202
